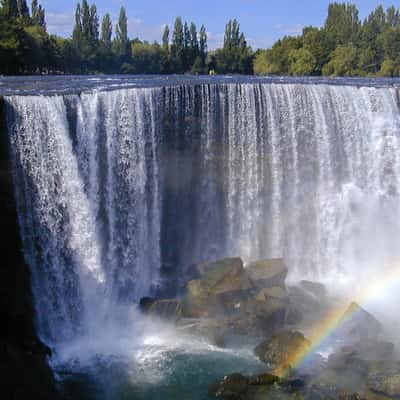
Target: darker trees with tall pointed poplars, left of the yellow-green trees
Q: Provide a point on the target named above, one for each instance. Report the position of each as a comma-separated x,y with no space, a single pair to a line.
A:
97,46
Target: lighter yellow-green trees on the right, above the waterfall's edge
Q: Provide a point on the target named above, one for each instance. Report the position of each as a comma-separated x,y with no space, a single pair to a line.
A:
344,46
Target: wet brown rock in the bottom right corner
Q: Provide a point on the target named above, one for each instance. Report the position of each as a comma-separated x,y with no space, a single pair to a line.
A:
384,378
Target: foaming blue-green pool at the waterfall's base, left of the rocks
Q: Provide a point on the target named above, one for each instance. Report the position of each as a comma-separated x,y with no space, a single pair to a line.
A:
146,360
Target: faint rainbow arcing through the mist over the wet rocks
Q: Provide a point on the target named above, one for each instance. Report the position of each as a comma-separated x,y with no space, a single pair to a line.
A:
334,320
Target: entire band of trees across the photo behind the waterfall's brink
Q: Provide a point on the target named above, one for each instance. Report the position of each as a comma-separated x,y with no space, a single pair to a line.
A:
344,46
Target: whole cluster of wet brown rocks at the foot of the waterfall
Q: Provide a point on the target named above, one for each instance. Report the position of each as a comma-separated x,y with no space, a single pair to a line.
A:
227,302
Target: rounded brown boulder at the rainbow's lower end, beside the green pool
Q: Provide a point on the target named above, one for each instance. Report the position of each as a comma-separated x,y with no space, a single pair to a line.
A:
279,351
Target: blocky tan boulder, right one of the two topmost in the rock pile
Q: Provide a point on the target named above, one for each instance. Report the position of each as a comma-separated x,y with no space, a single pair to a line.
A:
267,273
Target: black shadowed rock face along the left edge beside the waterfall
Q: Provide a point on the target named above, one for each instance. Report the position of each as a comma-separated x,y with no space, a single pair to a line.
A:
24,371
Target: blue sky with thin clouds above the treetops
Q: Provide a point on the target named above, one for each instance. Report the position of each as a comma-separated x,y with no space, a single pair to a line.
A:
263,21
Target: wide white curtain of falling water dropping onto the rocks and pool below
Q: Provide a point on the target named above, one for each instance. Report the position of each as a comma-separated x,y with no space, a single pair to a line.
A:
119,192
